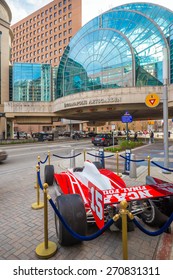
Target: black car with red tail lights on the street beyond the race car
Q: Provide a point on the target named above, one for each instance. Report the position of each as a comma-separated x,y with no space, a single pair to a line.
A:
104,139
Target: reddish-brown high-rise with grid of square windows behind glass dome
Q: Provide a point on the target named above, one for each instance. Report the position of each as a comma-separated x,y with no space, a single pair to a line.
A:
42,36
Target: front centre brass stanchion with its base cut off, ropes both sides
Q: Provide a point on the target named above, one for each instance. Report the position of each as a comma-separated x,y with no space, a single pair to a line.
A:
123,212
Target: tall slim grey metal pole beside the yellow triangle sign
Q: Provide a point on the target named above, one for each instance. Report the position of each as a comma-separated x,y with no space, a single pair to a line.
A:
165,108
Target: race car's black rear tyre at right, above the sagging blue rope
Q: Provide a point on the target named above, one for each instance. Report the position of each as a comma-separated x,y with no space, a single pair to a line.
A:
153,216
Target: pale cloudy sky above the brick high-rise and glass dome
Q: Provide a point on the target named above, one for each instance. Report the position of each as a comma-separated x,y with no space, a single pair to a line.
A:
91,8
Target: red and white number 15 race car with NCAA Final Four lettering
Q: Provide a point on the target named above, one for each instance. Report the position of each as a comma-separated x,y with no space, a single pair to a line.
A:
92,194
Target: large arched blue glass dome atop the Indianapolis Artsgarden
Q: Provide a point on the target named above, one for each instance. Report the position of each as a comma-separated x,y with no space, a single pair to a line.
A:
122,47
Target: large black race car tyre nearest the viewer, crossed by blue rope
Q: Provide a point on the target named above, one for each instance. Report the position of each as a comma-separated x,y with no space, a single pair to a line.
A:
73,212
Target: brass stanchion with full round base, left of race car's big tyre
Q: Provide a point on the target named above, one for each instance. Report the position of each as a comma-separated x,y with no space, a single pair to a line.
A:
47,248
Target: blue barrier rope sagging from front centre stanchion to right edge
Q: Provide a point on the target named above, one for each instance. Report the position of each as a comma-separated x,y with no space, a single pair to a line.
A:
157,232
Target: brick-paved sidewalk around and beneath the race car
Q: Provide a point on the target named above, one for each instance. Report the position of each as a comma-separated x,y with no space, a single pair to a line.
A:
21,227
